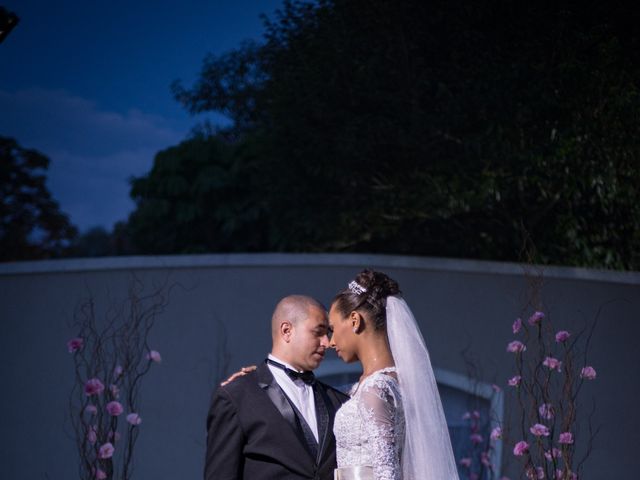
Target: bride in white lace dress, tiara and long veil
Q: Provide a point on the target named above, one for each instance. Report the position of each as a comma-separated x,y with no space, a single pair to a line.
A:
393,427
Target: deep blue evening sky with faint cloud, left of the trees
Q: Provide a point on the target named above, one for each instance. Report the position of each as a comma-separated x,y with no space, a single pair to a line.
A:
87,84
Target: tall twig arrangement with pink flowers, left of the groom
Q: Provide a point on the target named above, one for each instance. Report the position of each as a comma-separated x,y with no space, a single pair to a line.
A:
111,357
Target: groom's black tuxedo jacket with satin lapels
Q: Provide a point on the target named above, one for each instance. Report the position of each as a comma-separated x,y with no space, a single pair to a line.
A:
253,433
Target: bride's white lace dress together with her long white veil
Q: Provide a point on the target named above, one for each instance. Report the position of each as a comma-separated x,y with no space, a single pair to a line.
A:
393,427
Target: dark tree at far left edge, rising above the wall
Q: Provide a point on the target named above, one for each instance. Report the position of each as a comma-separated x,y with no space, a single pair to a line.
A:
31,223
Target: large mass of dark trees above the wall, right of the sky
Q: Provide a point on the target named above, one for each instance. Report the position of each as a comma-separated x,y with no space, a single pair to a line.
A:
434,128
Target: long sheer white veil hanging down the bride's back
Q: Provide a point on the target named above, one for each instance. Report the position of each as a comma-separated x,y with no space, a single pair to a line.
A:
427,453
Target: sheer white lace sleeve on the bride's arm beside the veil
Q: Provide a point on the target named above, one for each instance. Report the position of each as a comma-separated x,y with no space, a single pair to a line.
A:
383,421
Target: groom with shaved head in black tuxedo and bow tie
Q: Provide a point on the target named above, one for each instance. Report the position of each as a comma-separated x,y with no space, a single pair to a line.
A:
277,421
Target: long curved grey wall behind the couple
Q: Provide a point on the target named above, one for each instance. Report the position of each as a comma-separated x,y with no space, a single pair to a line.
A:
460,304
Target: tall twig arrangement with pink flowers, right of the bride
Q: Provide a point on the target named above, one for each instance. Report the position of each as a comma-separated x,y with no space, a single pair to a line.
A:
550,370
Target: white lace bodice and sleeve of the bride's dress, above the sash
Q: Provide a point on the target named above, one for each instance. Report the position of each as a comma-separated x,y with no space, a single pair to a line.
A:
369,428
